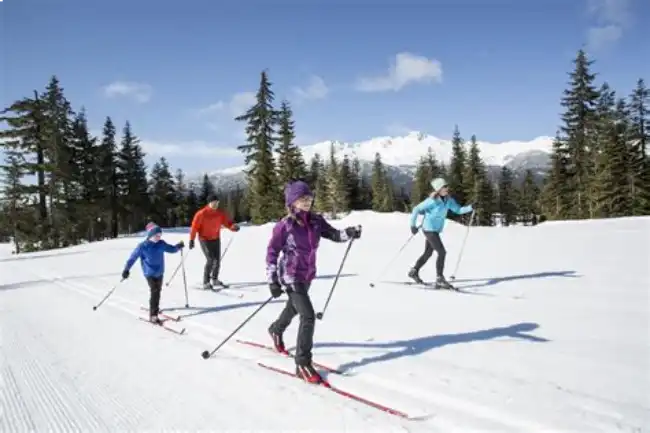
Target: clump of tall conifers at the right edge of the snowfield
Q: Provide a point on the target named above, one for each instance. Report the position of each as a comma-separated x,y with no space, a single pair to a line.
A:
600,164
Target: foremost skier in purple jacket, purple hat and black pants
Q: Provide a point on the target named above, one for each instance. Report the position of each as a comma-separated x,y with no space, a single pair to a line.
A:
297,236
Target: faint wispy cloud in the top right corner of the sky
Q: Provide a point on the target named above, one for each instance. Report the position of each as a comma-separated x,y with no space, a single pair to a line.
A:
611,19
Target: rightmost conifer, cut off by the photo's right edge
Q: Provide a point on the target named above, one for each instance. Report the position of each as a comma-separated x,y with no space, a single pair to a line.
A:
640,158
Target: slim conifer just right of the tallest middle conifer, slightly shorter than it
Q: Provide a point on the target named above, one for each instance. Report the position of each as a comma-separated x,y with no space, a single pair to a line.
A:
291,165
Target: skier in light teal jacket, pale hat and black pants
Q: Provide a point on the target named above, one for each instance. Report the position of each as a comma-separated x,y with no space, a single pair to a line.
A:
434,209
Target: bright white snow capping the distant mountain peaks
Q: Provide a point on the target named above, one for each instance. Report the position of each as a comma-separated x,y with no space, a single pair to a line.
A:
407,150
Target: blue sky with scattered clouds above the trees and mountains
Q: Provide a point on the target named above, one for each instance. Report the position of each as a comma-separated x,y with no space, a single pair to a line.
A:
180,71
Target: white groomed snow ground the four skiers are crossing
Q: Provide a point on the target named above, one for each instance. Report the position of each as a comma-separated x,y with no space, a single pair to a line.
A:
551,336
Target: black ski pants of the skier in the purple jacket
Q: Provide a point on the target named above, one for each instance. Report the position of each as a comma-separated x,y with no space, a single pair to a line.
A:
298,303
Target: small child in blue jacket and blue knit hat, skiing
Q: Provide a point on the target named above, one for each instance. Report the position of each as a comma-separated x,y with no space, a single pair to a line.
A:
151,253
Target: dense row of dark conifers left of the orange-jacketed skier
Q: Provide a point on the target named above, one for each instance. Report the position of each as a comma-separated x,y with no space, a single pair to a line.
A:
62,186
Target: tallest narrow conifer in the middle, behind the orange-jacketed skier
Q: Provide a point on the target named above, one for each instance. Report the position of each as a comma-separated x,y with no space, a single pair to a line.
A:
265,194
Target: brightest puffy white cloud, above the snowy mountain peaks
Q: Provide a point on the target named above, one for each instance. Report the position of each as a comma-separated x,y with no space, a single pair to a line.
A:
407,68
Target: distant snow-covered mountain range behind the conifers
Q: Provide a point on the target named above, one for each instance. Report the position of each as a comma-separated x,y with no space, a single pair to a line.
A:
400,155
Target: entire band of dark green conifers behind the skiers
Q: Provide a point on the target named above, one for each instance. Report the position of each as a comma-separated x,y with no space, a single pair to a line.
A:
62,186
